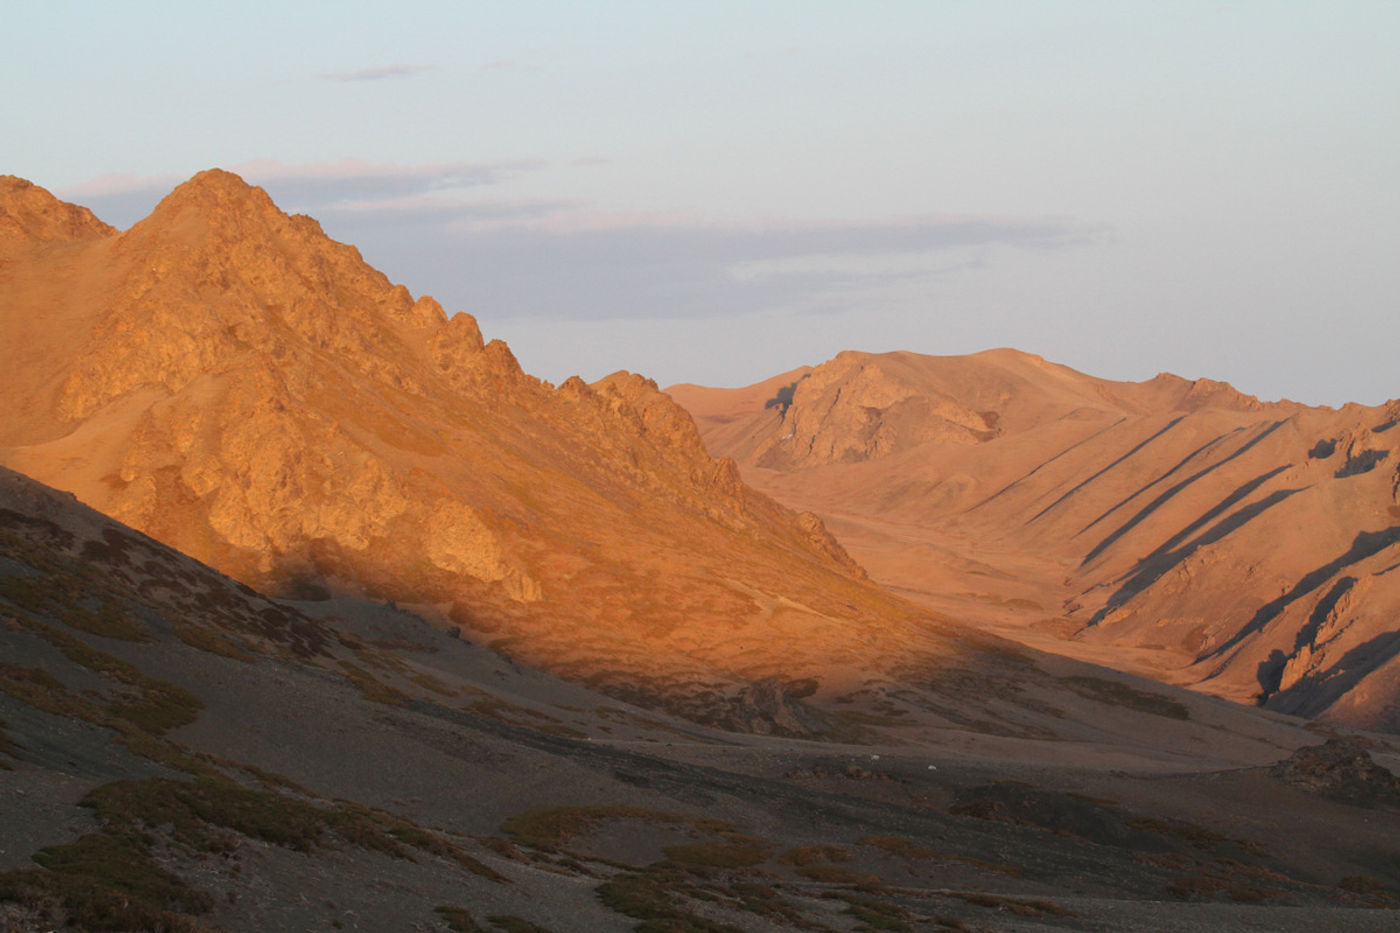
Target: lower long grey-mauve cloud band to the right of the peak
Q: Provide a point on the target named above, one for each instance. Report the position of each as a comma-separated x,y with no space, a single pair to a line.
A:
563,263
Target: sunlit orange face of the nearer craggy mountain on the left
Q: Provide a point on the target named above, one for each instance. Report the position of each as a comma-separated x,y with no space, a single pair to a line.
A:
234,383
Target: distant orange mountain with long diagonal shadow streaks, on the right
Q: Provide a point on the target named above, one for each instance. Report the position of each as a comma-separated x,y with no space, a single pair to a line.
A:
1177,529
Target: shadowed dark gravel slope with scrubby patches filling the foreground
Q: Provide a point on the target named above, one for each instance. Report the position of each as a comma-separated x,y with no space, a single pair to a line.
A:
180,753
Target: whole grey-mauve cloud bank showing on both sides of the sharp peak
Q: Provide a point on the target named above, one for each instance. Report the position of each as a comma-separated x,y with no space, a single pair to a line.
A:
451,232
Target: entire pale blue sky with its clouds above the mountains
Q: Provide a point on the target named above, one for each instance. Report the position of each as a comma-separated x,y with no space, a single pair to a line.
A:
717,193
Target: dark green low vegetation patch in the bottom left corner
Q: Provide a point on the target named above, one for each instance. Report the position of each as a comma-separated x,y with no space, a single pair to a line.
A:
108,883
